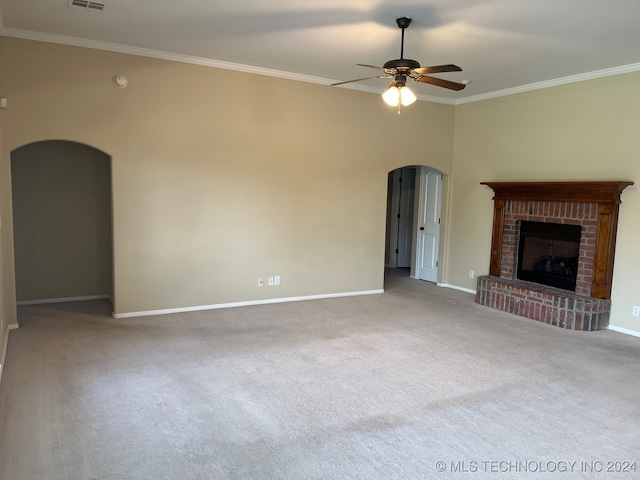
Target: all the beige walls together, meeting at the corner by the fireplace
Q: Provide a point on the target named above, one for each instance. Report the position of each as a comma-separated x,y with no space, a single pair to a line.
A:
221,177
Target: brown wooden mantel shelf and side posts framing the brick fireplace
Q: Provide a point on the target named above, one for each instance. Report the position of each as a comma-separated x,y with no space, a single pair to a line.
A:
606,194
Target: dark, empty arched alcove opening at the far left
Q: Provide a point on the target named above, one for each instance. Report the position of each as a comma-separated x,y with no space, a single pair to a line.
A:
62,222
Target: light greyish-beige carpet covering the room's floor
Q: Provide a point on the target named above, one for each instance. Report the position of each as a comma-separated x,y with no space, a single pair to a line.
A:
416,383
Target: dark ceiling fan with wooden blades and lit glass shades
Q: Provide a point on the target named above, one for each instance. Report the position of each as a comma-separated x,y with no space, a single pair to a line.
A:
402,68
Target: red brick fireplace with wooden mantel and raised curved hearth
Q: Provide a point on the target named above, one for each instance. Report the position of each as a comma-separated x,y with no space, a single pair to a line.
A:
593,206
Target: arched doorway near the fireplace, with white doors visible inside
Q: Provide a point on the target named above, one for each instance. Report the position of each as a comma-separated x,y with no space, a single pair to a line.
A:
414,222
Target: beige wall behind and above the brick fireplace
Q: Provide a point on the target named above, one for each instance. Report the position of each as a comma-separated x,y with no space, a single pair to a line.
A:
582,131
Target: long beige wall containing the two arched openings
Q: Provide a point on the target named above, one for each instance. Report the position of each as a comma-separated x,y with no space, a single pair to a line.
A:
221,177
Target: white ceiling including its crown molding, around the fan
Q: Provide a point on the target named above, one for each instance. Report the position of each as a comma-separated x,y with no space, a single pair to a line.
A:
503,46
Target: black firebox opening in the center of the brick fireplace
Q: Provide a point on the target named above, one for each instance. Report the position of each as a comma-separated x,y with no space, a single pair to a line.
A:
548,254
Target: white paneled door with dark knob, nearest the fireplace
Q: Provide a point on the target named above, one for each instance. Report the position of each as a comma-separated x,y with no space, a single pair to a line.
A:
429,210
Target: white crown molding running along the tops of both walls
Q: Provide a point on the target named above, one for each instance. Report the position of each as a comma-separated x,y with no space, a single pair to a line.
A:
238,67
